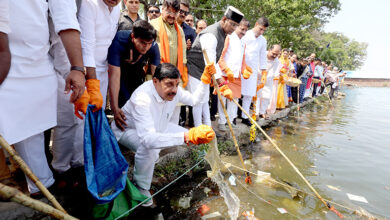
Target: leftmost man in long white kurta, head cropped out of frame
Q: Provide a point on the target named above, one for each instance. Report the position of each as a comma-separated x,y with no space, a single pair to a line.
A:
29,93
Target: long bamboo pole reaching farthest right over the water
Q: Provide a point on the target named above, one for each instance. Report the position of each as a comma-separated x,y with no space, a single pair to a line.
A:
290,162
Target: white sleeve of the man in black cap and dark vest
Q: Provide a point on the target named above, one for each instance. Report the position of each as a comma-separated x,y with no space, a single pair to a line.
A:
209,43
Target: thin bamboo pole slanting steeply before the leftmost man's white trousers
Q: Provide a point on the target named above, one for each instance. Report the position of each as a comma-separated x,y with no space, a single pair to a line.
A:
30,174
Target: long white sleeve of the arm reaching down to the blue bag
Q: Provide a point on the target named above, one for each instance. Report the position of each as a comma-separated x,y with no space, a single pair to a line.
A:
87,18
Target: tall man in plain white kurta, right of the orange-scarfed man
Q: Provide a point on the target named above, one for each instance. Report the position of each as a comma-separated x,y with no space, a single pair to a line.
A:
256,59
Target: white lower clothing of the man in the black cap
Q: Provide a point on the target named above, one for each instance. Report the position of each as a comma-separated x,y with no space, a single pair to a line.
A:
201,111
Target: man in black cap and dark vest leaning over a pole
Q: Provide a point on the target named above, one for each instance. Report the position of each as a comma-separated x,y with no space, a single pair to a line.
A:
211,40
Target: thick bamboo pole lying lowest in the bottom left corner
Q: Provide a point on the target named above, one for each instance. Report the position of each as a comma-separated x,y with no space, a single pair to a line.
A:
12,194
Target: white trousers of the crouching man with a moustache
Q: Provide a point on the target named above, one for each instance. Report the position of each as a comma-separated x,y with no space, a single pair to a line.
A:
145,157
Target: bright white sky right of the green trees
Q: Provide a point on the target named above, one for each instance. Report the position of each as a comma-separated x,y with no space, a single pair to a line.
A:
367,21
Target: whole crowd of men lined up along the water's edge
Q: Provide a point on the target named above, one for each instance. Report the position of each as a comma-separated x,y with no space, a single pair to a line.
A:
58,58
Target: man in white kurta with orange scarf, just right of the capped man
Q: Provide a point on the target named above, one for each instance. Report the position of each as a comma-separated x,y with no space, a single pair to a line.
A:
232,64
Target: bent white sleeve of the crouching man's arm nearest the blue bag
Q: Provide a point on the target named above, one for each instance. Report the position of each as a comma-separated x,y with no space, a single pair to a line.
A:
145,125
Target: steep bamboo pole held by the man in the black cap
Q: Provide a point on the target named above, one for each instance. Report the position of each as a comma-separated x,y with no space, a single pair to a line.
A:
248,178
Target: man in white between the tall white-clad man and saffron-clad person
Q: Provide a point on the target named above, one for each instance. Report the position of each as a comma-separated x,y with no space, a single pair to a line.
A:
273,70
